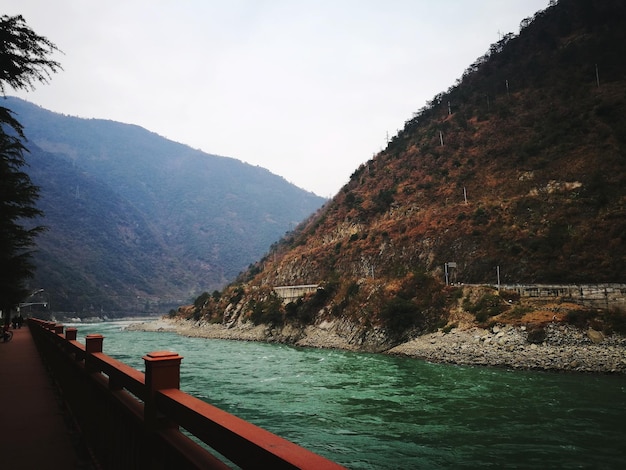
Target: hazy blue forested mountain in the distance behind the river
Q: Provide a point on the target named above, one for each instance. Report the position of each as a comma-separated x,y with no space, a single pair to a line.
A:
137,222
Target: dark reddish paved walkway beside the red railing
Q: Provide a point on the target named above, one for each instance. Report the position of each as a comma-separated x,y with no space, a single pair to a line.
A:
33,429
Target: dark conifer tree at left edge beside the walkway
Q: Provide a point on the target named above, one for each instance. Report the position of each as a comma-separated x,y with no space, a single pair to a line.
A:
24,60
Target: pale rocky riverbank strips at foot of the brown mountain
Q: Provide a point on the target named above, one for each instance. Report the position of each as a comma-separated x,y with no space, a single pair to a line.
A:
558,347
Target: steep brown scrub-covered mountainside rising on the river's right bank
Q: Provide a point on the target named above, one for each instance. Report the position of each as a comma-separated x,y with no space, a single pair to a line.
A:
519,168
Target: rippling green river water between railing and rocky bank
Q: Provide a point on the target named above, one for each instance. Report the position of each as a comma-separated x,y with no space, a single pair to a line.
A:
372,411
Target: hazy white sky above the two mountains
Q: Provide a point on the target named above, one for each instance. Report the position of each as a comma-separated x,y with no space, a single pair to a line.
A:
308,89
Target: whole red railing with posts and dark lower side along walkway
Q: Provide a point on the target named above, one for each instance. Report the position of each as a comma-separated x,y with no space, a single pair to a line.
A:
132,420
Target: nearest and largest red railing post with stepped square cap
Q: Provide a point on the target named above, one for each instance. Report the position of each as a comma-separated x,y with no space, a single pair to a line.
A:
162,372
